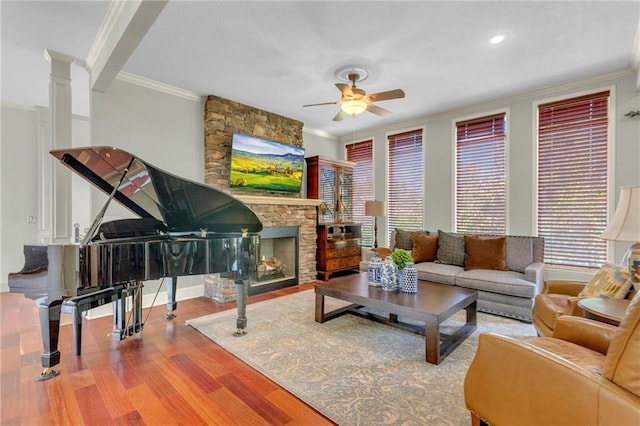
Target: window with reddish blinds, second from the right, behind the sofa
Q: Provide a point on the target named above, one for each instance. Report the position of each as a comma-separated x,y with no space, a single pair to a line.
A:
480,175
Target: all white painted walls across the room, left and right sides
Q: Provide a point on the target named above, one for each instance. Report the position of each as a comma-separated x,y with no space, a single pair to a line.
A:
167,130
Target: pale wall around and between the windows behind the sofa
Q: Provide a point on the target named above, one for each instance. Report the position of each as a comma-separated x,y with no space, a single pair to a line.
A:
439,149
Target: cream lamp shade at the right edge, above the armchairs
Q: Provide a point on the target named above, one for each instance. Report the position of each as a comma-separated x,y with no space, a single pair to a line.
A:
625,223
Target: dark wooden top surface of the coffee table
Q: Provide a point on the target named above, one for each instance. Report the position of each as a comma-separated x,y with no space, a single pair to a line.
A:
433,302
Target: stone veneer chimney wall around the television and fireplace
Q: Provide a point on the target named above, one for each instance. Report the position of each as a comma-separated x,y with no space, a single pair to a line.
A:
222,118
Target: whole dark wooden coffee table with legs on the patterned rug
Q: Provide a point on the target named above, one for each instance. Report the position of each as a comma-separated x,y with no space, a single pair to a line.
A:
432,304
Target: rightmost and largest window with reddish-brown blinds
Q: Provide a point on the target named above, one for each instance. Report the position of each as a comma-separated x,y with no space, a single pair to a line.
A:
572,179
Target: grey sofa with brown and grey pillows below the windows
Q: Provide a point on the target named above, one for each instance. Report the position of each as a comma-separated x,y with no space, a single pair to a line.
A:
507,271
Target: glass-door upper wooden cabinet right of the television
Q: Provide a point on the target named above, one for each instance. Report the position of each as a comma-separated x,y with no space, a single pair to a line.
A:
331,181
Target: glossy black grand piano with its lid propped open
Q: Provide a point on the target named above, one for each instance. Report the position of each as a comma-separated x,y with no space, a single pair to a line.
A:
180,228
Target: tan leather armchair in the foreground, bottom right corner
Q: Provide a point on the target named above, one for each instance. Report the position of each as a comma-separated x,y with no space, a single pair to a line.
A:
585,374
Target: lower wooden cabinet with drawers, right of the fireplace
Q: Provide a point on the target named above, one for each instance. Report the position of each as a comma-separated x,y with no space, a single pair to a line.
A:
338,248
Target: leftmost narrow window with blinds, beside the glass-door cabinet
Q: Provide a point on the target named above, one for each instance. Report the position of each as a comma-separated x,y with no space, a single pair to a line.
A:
362,154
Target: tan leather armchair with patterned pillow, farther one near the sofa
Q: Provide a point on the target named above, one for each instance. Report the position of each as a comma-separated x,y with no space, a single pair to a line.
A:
557,298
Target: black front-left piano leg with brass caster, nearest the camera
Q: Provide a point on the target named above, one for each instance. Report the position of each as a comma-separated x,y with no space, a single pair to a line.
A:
49,313
